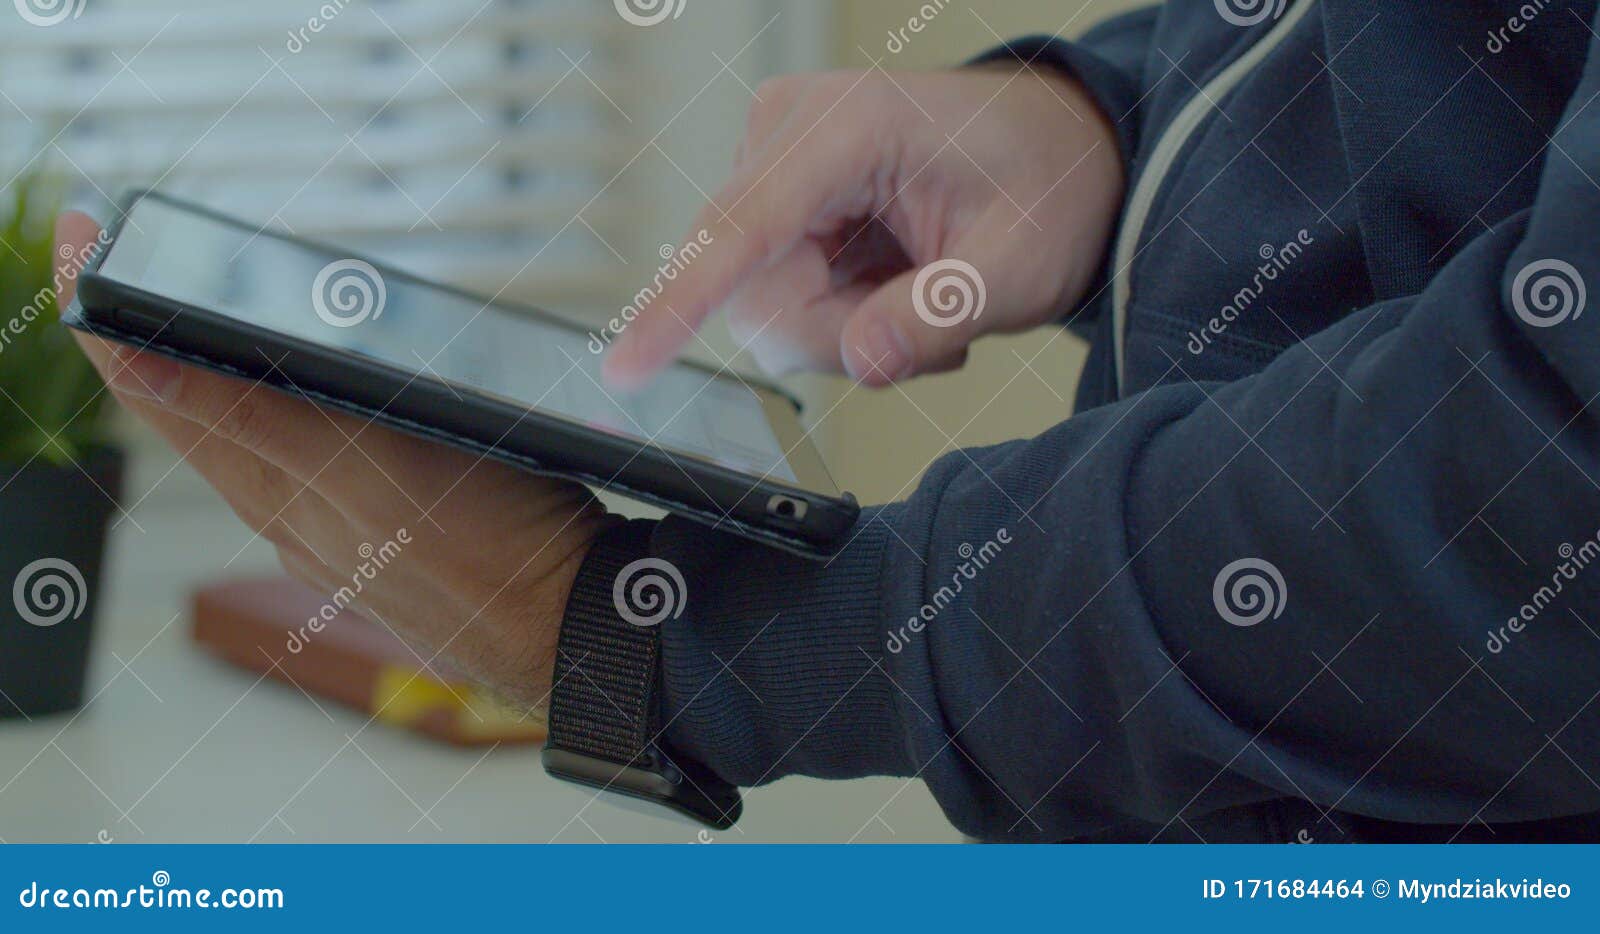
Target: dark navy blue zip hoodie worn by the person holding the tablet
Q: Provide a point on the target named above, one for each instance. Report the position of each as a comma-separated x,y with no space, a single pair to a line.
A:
1319,557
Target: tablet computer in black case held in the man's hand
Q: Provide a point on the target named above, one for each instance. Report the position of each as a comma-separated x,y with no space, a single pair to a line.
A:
511,383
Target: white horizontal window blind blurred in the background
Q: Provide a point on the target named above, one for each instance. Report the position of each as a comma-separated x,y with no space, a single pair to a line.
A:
466,140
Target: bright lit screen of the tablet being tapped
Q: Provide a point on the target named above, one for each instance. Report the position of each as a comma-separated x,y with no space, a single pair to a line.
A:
534,362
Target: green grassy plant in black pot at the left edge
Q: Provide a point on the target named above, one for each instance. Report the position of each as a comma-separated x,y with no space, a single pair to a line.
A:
58,474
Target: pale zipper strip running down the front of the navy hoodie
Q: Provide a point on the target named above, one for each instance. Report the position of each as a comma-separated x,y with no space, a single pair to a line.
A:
1162,159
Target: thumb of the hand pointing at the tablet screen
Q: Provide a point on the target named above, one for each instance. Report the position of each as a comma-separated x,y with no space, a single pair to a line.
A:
916,322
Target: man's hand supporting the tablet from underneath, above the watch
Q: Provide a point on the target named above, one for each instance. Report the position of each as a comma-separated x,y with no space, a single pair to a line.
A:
492,553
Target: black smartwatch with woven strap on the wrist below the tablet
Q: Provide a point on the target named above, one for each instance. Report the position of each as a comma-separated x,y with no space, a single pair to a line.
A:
604,725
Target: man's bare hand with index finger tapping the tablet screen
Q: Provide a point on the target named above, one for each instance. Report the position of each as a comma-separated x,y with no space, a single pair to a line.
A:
850,185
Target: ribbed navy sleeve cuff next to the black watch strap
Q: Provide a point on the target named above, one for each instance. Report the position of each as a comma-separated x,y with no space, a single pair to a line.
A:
777,666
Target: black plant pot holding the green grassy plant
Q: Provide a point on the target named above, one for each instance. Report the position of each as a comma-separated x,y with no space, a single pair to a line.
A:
54,522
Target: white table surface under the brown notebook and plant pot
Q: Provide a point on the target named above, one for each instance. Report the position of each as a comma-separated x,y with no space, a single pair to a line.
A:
178,748
